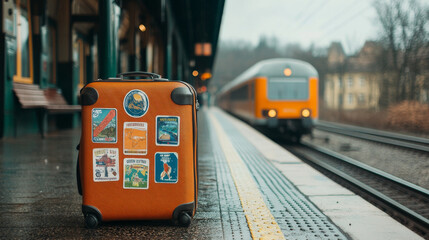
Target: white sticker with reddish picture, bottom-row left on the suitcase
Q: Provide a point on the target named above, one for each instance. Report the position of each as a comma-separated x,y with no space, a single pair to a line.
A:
106,164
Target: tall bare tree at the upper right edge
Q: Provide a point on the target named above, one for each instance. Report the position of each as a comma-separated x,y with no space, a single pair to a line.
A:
405,34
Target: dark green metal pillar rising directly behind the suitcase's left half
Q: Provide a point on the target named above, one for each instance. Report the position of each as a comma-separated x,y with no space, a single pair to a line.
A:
108,38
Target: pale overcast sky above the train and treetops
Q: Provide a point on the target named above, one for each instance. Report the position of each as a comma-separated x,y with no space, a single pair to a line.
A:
320,22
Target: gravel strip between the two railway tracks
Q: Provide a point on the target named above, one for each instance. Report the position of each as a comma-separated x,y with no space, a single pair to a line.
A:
409,165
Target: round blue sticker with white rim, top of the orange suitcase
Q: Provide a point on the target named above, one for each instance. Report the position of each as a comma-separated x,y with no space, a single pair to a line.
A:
136,103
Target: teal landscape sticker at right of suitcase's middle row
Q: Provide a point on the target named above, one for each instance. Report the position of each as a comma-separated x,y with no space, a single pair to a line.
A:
167,130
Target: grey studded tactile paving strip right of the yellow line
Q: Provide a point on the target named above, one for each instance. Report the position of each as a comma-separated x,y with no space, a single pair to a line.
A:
297,217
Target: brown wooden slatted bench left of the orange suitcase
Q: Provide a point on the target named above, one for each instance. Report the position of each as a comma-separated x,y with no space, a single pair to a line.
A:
44,101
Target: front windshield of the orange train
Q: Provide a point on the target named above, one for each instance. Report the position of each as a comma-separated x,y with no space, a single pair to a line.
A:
288,89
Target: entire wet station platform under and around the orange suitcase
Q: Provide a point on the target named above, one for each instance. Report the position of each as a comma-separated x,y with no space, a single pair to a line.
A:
249,187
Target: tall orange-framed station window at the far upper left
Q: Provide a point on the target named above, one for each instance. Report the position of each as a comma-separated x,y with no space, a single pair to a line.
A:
24,53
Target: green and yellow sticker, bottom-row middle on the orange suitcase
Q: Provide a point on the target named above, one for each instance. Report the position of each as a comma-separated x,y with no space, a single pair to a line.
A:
136,173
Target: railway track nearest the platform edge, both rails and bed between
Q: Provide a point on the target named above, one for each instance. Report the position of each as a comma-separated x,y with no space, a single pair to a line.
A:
405,201
